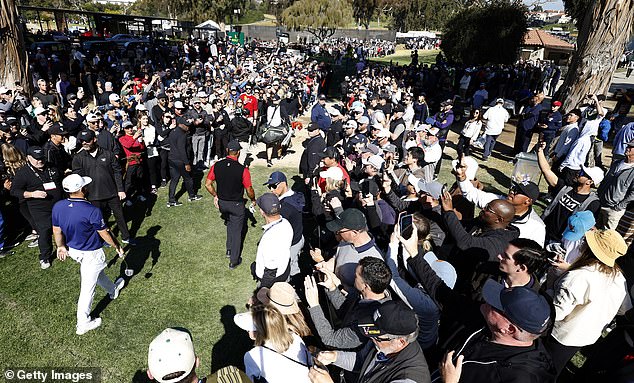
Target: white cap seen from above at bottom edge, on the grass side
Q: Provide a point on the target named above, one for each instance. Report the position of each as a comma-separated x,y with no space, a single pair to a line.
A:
171,352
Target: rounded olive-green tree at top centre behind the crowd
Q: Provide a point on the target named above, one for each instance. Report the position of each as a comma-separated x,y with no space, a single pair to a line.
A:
321,18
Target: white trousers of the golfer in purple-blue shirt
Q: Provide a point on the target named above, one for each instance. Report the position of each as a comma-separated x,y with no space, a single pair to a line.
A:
92,263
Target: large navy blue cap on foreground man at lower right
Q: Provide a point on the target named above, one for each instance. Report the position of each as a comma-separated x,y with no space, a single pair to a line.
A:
522,305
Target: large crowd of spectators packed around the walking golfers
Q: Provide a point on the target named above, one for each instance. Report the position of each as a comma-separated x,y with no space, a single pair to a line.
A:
398,273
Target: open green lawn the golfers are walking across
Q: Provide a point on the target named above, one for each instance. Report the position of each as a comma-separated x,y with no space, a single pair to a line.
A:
188,286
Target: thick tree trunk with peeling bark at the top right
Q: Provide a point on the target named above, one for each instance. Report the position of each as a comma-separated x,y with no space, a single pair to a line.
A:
602,36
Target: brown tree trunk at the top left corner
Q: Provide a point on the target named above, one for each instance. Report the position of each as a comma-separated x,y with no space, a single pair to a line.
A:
13,58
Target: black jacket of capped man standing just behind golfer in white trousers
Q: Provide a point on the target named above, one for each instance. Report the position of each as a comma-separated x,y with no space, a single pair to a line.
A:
105,171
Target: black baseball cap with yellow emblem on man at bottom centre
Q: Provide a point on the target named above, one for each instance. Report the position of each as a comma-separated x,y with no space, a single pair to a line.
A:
392,318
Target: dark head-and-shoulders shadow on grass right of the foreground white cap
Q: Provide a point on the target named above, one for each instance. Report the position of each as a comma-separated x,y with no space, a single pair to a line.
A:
230,349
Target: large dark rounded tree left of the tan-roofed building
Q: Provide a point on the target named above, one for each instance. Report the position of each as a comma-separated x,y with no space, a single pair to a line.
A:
488,34
